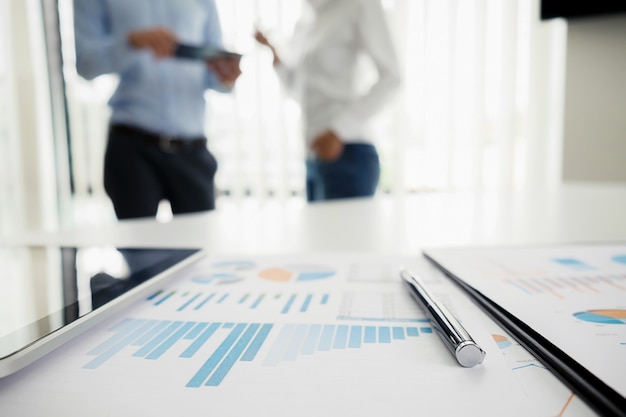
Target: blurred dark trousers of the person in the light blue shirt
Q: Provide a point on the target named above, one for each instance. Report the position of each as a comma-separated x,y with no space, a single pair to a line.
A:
139,173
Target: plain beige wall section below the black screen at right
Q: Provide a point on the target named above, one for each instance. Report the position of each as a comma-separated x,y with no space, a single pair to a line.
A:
595,100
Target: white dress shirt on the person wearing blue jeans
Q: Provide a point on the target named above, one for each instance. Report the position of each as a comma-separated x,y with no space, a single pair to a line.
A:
322,67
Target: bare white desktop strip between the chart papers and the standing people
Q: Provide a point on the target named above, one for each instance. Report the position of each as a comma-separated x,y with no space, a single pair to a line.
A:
385,224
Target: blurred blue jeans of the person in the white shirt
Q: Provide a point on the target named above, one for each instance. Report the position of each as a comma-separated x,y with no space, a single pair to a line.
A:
354,174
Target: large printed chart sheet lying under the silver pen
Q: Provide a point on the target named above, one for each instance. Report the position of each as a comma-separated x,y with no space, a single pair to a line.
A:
309,335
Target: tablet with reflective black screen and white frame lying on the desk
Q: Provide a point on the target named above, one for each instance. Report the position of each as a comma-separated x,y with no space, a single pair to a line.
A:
50,294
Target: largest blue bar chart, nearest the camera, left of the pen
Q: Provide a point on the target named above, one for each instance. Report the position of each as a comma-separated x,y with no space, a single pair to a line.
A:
236,342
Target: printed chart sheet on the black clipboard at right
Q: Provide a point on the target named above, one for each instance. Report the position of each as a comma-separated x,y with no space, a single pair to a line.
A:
573,296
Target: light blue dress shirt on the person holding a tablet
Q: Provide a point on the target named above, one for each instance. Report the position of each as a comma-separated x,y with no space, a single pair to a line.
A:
164,96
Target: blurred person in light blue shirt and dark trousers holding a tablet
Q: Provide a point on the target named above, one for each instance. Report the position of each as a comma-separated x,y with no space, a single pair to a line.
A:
156,148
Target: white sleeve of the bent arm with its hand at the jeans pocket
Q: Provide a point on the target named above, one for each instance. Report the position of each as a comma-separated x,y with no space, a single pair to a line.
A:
377,43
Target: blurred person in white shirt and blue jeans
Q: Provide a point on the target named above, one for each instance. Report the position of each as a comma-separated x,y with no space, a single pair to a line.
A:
321,68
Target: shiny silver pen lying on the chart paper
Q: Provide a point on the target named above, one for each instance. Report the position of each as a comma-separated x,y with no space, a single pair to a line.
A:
456,338
